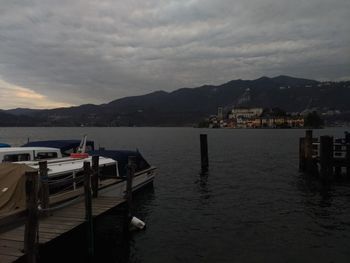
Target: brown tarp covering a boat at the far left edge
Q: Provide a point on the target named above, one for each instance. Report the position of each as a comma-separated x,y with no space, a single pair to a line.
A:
12,187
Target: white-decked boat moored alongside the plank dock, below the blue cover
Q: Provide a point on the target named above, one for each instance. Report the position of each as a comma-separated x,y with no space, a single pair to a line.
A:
64,173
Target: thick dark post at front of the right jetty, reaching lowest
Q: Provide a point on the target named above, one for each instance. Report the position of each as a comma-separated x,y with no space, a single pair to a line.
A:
326,157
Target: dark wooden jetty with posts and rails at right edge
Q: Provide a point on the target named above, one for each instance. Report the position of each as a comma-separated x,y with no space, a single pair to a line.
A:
325,157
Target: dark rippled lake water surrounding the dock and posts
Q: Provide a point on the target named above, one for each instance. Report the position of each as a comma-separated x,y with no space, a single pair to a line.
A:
253,206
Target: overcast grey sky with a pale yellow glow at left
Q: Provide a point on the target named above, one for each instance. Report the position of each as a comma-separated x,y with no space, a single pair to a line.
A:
72,52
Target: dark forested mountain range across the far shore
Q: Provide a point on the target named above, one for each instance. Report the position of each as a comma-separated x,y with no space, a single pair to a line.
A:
187,106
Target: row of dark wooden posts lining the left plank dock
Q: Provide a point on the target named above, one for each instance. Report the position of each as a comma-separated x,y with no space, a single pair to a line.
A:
37,196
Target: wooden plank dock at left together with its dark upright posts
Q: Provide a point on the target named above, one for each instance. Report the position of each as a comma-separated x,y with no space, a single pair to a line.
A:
45,222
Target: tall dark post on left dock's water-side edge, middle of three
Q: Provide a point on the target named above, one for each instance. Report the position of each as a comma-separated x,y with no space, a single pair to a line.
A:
88,208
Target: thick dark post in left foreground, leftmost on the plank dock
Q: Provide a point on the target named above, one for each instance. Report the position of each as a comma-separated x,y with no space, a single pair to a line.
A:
32,223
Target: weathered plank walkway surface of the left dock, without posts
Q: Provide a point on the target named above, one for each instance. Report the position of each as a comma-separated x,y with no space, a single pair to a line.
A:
61,222
